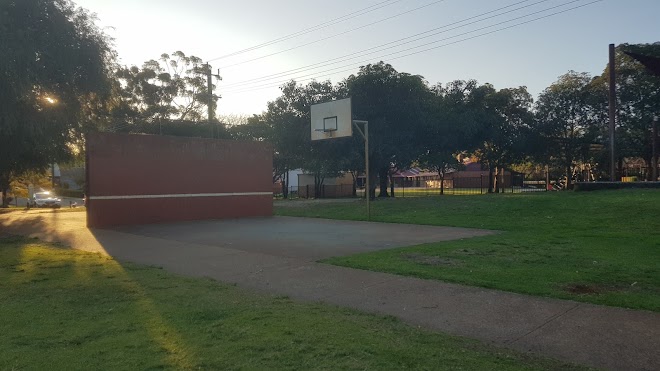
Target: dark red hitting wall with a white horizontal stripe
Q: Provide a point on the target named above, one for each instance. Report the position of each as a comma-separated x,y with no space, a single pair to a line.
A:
140,179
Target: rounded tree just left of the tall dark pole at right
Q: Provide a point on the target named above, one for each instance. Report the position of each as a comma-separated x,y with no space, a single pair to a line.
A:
566,122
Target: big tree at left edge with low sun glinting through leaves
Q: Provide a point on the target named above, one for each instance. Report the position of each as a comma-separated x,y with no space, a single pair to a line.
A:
55,65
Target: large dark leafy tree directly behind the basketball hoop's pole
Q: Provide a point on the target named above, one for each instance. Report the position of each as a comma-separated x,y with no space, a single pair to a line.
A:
395,104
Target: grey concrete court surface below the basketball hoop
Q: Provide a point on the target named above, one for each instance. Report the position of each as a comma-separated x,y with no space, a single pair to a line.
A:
302,238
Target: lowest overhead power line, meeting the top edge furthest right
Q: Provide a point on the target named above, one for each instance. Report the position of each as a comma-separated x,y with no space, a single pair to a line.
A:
424,50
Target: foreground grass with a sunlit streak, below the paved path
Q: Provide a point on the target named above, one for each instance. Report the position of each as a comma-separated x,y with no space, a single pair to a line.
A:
66,310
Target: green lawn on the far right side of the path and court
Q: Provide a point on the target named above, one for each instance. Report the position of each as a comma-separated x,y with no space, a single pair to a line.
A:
598,247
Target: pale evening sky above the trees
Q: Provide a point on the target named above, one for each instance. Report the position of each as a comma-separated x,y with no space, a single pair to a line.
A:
337,37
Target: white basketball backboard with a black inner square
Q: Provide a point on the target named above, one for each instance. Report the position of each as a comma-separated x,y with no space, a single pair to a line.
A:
332,119
